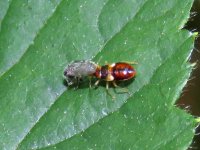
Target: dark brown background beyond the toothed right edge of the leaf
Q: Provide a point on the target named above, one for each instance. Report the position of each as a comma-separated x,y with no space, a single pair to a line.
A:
190,98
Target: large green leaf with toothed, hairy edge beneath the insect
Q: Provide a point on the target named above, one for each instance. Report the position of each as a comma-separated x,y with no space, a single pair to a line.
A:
39,38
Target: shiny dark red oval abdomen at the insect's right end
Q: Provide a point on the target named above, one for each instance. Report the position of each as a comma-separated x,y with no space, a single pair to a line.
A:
123,71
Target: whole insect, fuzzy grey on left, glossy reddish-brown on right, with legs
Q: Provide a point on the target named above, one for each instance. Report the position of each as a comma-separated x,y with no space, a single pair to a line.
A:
119,71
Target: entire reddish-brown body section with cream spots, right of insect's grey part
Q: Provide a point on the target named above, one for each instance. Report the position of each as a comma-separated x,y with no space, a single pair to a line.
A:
117,71
